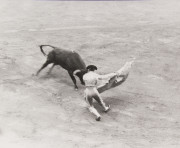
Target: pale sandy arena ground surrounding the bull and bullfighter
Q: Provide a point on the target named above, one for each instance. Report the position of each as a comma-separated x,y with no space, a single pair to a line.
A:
46,112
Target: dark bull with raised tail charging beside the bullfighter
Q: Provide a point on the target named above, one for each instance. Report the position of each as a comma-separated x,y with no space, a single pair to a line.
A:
69,60
